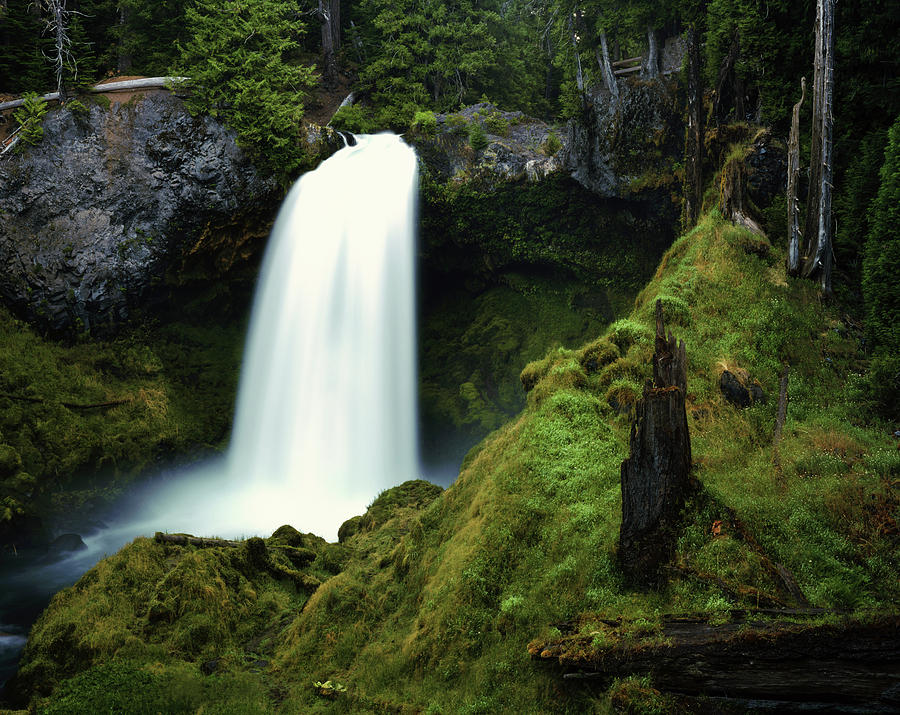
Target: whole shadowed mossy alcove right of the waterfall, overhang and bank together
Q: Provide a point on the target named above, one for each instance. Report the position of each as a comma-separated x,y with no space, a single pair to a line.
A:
509,270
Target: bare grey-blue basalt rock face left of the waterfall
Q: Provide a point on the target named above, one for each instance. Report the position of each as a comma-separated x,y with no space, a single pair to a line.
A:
113,208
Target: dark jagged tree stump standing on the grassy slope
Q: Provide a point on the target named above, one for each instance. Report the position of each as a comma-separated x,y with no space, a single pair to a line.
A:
655,477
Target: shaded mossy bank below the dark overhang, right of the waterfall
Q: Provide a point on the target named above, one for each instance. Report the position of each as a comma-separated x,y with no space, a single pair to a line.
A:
472,350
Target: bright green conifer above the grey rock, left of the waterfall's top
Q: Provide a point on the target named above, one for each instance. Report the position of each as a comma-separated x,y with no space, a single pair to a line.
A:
238,55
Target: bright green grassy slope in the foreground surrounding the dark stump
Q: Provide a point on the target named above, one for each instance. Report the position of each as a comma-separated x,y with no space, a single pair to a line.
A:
434,608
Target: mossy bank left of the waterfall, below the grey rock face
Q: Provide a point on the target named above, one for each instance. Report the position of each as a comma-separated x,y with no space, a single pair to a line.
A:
158,393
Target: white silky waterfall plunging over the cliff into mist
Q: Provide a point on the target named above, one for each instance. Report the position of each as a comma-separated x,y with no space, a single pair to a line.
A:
326,409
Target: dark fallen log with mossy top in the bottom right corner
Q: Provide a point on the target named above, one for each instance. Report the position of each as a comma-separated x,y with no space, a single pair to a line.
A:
834,667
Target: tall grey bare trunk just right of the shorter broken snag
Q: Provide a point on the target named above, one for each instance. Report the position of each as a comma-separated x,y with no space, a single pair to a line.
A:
818,262
